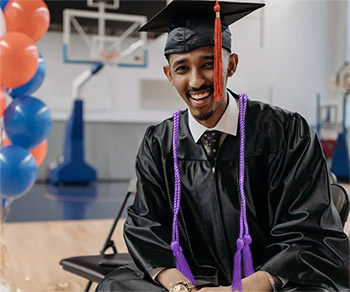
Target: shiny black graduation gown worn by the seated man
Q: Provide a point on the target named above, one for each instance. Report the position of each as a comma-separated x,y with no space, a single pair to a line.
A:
297,233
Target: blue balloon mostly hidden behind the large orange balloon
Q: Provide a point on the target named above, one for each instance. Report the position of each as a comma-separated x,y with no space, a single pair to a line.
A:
33,84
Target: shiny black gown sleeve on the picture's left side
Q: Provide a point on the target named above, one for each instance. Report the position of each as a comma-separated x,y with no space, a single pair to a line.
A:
147,230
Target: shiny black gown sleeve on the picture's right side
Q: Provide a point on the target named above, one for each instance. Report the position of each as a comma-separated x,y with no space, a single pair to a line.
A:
307,243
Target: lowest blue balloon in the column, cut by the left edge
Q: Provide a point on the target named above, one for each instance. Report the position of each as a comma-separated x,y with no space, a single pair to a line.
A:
17,171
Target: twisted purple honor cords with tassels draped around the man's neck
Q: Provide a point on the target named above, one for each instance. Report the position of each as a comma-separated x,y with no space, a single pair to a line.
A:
244,239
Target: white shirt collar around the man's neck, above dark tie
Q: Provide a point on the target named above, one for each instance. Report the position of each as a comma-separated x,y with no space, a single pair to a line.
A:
227,123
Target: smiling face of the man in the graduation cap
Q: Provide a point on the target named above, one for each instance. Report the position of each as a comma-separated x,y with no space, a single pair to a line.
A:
192,74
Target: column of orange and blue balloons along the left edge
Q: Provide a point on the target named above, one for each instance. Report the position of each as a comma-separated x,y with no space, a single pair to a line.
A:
26,120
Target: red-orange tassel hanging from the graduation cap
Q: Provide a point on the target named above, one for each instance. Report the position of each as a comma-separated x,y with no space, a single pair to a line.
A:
217,55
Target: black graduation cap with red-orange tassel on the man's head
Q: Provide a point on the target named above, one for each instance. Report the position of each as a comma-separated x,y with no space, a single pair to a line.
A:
192,24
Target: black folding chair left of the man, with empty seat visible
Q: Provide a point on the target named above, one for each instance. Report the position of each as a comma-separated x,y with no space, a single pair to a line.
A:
95,267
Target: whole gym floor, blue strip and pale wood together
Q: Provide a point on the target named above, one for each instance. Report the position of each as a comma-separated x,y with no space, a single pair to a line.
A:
51,223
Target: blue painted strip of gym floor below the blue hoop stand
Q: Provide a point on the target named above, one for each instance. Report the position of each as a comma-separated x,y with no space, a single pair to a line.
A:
47,202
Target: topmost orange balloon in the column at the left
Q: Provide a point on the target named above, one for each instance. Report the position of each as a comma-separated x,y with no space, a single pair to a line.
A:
31,17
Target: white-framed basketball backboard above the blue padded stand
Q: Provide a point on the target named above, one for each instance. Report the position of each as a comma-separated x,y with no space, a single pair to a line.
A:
97,36
